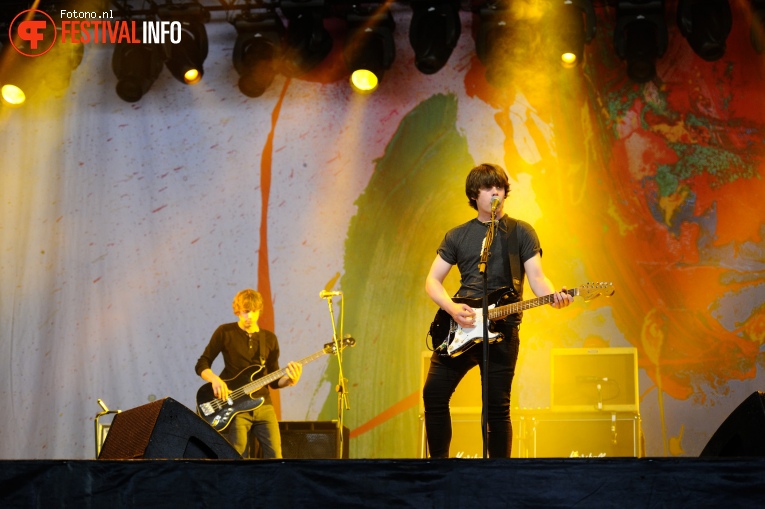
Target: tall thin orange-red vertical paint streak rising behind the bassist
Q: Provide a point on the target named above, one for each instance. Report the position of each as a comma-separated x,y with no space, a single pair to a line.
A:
264,276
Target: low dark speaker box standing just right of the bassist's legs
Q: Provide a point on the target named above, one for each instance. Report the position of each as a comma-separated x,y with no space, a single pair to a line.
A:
313,440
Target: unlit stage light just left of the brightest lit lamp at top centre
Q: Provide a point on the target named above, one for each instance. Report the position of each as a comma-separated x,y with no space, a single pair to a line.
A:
308,42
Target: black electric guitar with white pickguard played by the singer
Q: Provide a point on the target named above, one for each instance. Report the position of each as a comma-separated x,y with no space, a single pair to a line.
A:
454,339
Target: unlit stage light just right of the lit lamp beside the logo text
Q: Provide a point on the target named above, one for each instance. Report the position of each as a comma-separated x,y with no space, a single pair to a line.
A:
257,50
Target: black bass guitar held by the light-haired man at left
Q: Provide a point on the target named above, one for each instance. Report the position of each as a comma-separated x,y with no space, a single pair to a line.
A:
218,412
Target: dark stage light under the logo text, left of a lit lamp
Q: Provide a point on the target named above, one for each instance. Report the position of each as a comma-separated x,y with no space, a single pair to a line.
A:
137,67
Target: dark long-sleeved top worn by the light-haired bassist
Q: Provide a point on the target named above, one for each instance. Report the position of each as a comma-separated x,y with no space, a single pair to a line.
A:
239,352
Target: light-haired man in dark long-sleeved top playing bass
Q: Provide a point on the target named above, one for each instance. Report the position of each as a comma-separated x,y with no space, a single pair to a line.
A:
244,343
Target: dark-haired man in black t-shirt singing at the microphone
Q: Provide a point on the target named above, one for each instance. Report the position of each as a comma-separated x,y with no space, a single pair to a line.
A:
462,247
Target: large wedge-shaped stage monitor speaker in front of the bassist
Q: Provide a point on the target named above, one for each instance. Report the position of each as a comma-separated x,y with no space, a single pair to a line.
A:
164,429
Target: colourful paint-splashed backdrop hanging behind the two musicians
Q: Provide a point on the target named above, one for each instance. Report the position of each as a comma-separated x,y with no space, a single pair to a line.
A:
127,229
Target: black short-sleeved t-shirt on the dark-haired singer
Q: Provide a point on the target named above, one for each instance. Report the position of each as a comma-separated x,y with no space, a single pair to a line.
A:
462,247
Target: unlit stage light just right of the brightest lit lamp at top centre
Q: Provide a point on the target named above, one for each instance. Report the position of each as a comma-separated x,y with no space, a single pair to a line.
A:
433,33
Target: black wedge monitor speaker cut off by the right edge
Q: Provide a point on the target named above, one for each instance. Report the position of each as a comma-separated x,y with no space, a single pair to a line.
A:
742,434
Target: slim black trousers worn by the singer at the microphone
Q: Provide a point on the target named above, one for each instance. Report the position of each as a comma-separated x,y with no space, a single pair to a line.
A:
445,374
